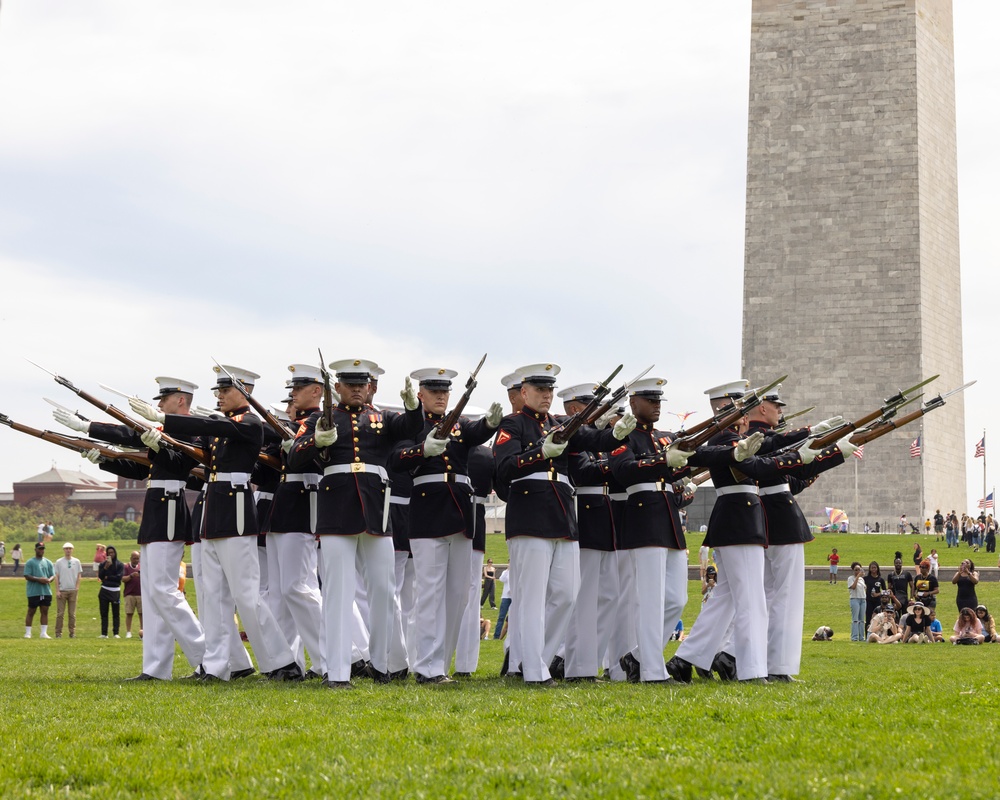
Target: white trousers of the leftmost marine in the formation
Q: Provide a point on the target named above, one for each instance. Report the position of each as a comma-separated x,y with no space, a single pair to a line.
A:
167,616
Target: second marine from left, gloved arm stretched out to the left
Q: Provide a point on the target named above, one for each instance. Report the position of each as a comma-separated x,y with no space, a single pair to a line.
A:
229,560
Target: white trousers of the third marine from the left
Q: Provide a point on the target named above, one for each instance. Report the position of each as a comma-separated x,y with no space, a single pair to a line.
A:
293,594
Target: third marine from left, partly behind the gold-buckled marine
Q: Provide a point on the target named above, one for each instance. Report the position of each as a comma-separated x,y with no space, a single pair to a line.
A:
293,588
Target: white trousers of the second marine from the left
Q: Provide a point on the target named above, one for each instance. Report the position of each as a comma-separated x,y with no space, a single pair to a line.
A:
231,564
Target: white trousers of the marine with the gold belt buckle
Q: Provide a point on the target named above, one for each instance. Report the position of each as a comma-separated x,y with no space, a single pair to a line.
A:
340,623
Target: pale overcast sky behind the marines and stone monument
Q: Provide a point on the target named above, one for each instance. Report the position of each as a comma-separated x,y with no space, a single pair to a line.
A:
416,183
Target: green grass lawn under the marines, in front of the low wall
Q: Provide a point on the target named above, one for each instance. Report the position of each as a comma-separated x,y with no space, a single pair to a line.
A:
866,721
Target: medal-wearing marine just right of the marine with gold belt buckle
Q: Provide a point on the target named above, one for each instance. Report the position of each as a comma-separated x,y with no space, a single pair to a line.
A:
442,521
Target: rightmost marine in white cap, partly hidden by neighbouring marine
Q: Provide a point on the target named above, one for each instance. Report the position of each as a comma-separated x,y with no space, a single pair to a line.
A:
787,533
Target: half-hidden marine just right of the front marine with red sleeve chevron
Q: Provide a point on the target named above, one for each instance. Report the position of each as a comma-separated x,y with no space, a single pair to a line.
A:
598,514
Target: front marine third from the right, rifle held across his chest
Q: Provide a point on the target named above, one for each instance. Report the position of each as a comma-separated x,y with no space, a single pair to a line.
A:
652,532
